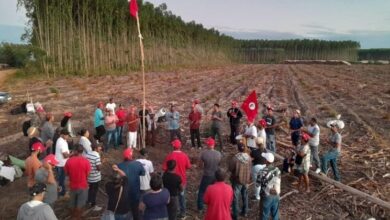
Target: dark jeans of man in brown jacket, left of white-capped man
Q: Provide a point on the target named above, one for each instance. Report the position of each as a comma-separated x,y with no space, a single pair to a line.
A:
239,191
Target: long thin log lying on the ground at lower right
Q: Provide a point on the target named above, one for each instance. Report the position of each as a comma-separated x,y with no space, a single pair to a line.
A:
344,187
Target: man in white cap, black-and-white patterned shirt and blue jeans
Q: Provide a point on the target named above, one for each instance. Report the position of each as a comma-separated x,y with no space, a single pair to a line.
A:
269,181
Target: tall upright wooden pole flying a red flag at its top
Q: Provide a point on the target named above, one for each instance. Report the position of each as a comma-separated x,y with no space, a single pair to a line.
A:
141,44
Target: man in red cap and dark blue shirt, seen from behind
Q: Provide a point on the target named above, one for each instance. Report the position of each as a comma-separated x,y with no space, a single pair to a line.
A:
133,170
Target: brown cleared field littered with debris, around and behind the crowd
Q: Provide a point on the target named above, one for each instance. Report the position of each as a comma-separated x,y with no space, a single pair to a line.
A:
360,93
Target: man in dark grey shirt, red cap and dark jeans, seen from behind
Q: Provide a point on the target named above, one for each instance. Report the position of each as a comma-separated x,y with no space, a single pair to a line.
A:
209,160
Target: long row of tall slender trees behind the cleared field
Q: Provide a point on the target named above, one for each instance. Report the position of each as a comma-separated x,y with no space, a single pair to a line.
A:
98,36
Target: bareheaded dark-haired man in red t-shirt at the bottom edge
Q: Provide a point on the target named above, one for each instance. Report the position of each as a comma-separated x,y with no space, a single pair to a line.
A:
219,198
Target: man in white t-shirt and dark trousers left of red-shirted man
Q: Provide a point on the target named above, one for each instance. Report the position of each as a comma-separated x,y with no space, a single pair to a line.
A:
62,154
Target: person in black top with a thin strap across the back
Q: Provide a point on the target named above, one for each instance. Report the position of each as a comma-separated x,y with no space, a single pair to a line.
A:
118,183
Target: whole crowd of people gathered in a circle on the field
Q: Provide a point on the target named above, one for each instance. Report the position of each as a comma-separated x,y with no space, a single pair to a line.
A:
60,159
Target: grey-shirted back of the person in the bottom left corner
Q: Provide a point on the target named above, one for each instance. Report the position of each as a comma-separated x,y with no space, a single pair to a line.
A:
35,210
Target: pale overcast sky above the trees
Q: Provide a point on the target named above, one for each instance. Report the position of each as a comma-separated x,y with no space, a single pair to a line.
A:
361,20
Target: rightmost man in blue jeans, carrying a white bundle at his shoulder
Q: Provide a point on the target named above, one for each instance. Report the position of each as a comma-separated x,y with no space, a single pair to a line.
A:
333,153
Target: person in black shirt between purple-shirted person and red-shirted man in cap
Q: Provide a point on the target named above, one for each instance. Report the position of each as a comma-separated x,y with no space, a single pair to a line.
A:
172,182
